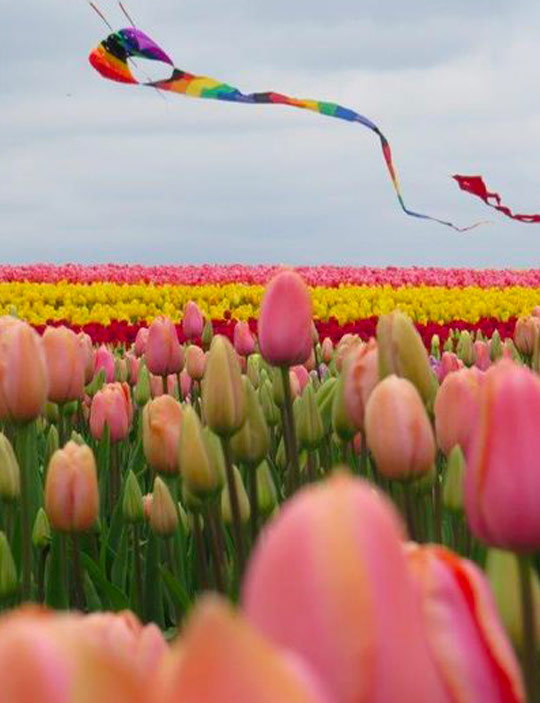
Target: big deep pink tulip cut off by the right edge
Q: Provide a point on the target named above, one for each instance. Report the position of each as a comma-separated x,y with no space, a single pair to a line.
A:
502,480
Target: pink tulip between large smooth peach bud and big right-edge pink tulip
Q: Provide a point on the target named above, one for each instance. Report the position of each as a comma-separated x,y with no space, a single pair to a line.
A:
456,408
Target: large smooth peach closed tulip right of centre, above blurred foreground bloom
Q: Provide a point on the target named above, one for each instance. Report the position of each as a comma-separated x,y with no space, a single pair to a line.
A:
398,431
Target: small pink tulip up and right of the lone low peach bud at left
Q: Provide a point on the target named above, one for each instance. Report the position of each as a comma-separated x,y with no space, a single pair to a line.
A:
111,407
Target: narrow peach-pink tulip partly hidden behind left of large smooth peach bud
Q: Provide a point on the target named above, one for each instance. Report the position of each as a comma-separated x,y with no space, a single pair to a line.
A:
361,376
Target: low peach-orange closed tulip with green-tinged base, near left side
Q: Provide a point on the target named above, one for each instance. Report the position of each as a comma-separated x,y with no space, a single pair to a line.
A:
71,489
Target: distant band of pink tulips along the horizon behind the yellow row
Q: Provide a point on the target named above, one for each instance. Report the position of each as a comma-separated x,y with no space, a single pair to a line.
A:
328,276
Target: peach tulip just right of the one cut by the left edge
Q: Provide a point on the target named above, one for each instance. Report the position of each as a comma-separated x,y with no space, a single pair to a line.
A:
66,362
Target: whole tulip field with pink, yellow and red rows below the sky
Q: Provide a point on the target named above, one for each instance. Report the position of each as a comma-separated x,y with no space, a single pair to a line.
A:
256,484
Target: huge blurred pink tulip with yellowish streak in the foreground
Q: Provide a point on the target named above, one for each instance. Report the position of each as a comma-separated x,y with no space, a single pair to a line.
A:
329,582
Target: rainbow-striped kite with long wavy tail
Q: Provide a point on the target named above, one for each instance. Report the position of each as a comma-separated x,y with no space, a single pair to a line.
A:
111,57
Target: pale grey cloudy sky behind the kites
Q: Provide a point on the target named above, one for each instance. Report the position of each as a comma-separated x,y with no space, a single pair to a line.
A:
93,171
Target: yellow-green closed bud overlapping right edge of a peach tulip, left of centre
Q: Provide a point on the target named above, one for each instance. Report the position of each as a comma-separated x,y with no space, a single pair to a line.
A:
201,472
